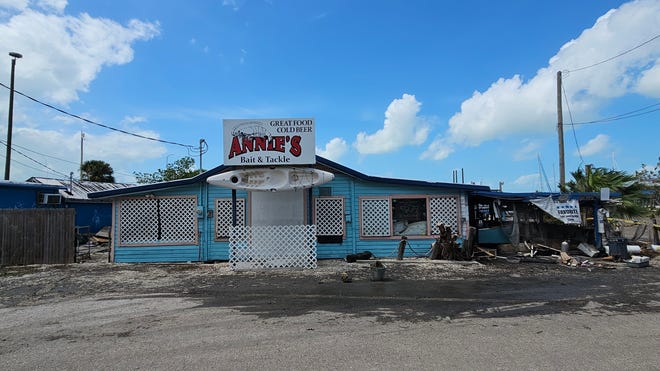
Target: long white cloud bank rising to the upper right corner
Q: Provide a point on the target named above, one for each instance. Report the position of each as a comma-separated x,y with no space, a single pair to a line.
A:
515,106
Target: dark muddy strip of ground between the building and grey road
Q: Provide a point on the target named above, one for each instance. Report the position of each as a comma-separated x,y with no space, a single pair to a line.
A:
413,290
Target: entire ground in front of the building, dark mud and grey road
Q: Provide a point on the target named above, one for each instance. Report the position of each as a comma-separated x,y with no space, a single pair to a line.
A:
423,316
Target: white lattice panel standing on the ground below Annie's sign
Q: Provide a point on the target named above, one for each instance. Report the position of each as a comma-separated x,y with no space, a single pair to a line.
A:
273,246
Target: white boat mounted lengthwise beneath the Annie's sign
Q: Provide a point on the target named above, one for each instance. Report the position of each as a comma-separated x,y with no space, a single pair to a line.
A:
271,178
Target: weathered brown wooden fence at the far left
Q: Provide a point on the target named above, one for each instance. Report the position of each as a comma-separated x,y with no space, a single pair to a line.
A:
37,236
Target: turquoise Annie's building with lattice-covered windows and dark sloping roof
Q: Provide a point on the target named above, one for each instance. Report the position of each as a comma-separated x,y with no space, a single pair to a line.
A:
192,220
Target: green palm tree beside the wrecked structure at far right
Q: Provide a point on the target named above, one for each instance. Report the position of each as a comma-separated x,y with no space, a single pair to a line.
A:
592,180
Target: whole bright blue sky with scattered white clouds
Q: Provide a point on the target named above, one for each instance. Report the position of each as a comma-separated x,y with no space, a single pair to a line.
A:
405,89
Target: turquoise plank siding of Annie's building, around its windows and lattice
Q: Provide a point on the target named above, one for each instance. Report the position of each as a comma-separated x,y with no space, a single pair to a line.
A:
344,186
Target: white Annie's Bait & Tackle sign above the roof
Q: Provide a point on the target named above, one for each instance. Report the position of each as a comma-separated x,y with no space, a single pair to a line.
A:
268,142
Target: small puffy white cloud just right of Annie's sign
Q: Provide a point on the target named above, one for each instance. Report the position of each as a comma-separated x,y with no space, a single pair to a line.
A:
402,127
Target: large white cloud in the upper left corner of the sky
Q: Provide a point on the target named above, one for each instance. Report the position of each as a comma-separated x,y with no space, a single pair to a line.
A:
63,54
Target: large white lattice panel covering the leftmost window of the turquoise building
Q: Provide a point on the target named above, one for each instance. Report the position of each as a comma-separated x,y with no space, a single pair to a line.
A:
158,220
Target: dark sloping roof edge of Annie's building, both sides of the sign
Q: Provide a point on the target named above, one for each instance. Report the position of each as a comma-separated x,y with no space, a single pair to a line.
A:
320,161
